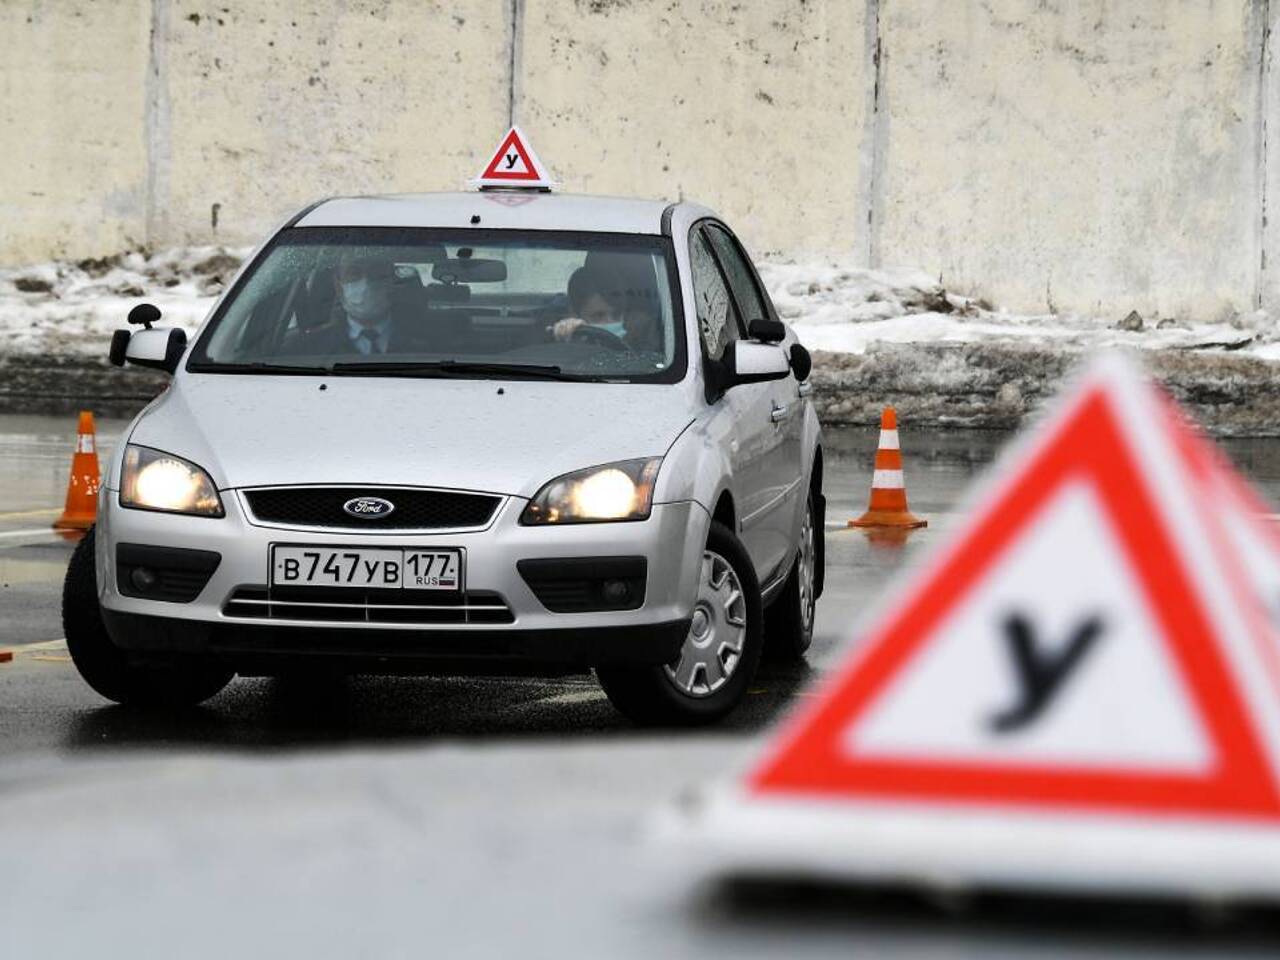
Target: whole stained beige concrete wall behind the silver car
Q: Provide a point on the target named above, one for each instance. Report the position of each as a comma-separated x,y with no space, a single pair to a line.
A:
1095,156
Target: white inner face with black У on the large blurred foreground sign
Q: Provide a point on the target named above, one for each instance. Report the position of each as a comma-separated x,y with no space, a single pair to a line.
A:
1022,675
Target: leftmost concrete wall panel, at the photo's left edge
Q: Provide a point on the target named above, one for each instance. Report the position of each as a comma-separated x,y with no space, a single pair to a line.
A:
74,162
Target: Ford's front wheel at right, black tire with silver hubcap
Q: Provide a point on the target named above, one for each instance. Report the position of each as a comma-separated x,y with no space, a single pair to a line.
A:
693,691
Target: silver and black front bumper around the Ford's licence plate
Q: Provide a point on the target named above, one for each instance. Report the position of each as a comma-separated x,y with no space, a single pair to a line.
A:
670,542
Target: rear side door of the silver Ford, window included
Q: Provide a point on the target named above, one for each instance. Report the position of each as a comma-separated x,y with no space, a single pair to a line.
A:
776,412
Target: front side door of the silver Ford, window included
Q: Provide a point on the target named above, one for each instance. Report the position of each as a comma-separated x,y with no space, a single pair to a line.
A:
756,440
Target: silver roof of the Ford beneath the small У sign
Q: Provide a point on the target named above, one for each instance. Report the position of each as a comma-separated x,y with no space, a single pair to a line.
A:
495,209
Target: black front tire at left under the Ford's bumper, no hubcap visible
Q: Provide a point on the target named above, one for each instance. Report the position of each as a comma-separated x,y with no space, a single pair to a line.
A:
107,669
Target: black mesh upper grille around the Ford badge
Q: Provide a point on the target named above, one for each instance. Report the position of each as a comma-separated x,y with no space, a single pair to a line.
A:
415,509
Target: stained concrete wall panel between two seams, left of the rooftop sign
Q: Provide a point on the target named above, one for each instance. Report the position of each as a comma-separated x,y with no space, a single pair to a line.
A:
273,106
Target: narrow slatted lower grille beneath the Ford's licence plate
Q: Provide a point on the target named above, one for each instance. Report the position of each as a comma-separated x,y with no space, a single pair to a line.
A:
354,606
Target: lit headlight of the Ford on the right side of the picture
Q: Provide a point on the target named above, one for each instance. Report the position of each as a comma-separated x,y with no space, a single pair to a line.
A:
620,491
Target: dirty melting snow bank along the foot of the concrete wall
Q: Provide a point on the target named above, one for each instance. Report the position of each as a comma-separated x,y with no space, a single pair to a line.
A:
74,308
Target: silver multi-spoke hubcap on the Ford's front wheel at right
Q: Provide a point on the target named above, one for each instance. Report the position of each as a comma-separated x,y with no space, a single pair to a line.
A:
715,644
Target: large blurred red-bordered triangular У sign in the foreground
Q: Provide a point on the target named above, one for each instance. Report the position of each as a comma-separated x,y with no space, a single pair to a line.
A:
1078,650
